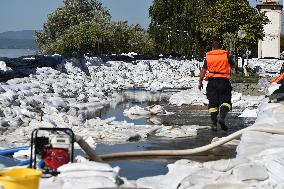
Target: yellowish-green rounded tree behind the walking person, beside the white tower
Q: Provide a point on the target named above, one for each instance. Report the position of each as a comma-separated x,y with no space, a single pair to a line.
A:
227,17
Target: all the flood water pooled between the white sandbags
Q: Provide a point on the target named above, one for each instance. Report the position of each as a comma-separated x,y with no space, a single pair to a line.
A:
137,168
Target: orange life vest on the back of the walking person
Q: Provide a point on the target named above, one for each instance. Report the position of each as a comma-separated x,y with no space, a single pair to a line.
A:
218,64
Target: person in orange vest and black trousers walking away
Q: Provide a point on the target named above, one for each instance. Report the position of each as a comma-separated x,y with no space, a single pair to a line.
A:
218,63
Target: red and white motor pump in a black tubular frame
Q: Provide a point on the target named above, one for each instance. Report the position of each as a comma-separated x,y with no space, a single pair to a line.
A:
54,147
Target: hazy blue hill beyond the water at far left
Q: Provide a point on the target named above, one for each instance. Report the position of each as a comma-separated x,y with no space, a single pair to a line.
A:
18,40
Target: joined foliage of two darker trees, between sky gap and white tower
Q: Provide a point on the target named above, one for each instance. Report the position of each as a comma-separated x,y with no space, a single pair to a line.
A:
189,27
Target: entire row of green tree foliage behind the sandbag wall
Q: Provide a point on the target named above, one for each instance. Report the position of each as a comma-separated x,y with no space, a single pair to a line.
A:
186,27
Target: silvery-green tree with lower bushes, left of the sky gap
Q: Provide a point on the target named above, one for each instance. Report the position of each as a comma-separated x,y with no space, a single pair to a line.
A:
84,26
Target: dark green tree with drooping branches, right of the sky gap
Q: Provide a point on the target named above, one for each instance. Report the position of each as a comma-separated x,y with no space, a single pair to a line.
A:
175,25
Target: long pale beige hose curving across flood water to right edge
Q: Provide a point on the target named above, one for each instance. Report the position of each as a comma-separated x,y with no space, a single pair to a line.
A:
186,152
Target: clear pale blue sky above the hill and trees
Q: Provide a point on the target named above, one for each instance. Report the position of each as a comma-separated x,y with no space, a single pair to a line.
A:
18,15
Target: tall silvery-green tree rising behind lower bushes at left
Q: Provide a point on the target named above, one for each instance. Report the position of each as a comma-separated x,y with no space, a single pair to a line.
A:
72,14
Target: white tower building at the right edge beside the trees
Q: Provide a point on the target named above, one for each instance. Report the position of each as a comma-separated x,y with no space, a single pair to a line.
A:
269,47
